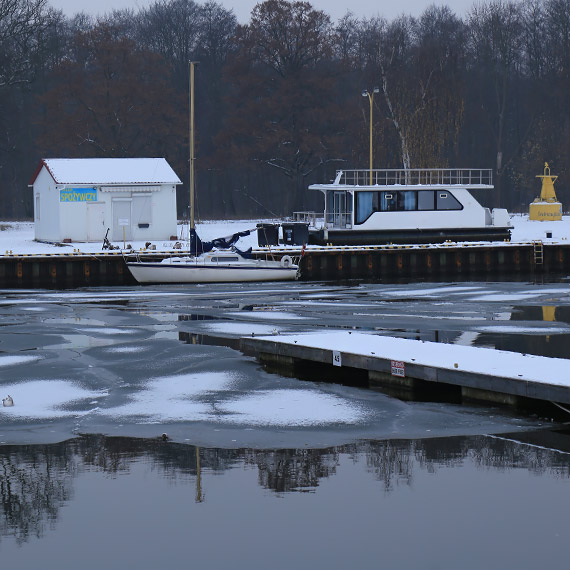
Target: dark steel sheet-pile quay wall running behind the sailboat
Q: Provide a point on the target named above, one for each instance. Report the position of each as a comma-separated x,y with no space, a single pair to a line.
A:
453,261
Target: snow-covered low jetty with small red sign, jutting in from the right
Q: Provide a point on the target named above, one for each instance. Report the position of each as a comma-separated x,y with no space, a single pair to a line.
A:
403,365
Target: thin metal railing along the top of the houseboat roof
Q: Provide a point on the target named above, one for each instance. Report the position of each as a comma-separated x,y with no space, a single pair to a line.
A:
473,177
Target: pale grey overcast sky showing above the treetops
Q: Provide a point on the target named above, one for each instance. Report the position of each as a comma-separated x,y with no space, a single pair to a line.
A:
242,8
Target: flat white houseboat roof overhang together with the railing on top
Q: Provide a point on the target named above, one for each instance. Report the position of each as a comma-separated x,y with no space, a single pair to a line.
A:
410,179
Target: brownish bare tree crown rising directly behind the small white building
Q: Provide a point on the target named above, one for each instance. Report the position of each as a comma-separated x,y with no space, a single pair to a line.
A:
113,100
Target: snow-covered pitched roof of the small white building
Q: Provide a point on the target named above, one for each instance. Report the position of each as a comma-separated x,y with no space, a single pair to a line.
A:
109,171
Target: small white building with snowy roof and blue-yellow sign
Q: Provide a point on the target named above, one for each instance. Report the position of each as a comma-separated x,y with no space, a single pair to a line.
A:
78,199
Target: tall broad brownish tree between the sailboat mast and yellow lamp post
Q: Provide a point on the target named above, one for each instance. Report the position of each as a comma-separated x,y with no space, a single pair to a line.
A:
284,115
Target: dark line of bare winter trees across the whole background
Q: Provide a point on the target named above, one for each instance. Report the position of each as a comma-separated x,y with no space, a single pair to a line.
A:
279,100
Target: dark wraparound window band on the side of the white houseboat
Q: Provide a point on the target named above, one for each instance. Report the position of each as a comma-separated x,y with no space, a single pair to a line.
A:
402,201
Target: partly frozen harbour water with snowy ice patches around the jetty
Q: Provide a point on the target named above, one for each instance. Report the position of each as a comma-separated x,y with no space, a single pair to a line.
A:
259,470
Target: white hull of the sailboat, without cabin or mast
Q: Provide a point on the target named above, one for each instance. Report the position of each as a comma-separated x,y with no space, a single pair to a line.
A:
152,272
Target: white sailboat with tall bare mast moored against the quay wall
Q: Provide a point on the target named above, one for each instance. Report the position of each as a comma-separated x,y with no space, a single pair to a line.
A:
218,261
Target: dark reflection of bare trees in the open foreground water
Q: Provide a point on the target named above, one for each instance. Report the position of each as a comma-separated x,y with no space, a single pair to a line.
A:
36,481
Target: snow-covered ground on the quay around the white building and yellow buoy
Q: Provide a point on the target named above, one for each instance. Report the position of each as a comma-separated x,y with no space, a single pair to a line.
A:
18,237
